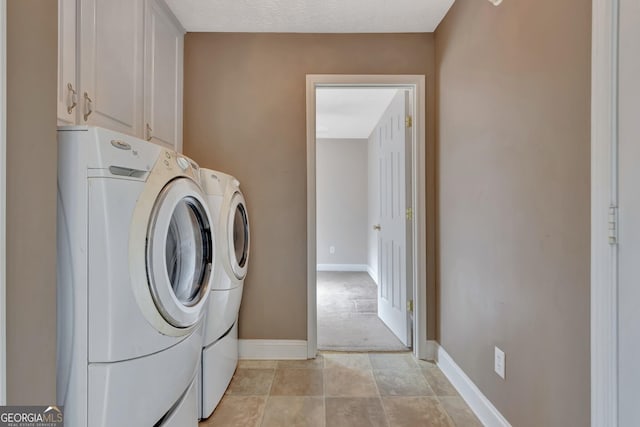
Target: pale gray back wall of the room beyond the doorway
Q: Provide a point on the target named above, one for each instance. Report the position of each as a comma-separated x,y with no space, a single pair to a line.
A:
341,197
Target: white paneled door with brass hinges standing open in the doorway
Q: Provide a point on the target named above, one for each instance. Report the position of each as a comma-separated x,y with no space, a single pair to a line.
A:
394,280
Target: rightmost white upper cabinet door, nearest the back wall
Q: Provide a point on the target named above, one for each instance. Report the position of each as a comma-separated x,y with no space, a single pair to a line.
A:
164,42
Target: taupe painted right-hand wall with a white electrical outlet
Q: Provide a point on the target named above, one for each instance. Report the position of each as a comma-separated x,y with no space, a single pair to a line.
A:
514,173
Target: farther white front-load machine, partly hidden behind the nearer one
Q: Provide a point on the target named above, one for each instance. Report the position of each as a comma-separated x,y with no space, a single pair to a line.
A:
220,344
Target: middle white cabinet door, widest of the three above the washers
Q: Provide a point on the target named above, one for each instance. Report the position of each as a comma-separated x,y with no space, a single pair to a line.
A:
111,60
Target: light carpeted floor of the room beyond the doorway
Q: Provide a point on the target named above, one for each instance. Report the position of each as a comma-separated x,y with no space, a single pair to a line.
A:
347,314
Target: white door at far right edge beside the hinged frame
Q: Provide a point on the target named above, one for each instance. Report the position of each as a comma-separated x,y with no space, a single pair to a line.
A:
629,213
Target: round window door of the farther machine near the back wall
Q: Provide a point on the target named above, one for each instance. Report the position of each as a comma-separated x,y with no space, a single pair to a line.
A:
238,236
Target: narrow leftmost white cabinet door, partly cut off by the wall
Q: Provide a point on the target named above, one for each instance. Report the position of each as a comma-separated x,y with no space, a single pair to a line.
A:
67,82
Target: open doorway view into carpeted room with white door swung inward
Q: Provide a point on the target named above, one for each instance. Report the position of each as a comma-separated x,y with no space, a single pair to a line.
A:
363,157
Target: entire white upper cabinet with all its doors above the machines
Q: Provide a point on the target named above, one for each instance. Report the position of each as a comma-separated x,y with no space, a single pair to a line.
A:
120,67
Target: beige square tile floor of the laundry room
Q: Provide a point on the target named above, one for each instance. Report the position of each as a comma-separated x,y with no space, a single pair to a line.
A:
341,390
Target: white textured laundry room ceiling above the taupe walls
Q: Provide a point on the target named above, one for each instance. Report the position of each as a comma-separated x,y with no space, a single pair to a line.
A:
311,16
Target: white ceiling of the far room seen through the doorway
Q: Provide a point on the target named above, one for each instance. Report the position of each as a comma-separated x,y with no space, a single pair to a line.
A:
350,112
